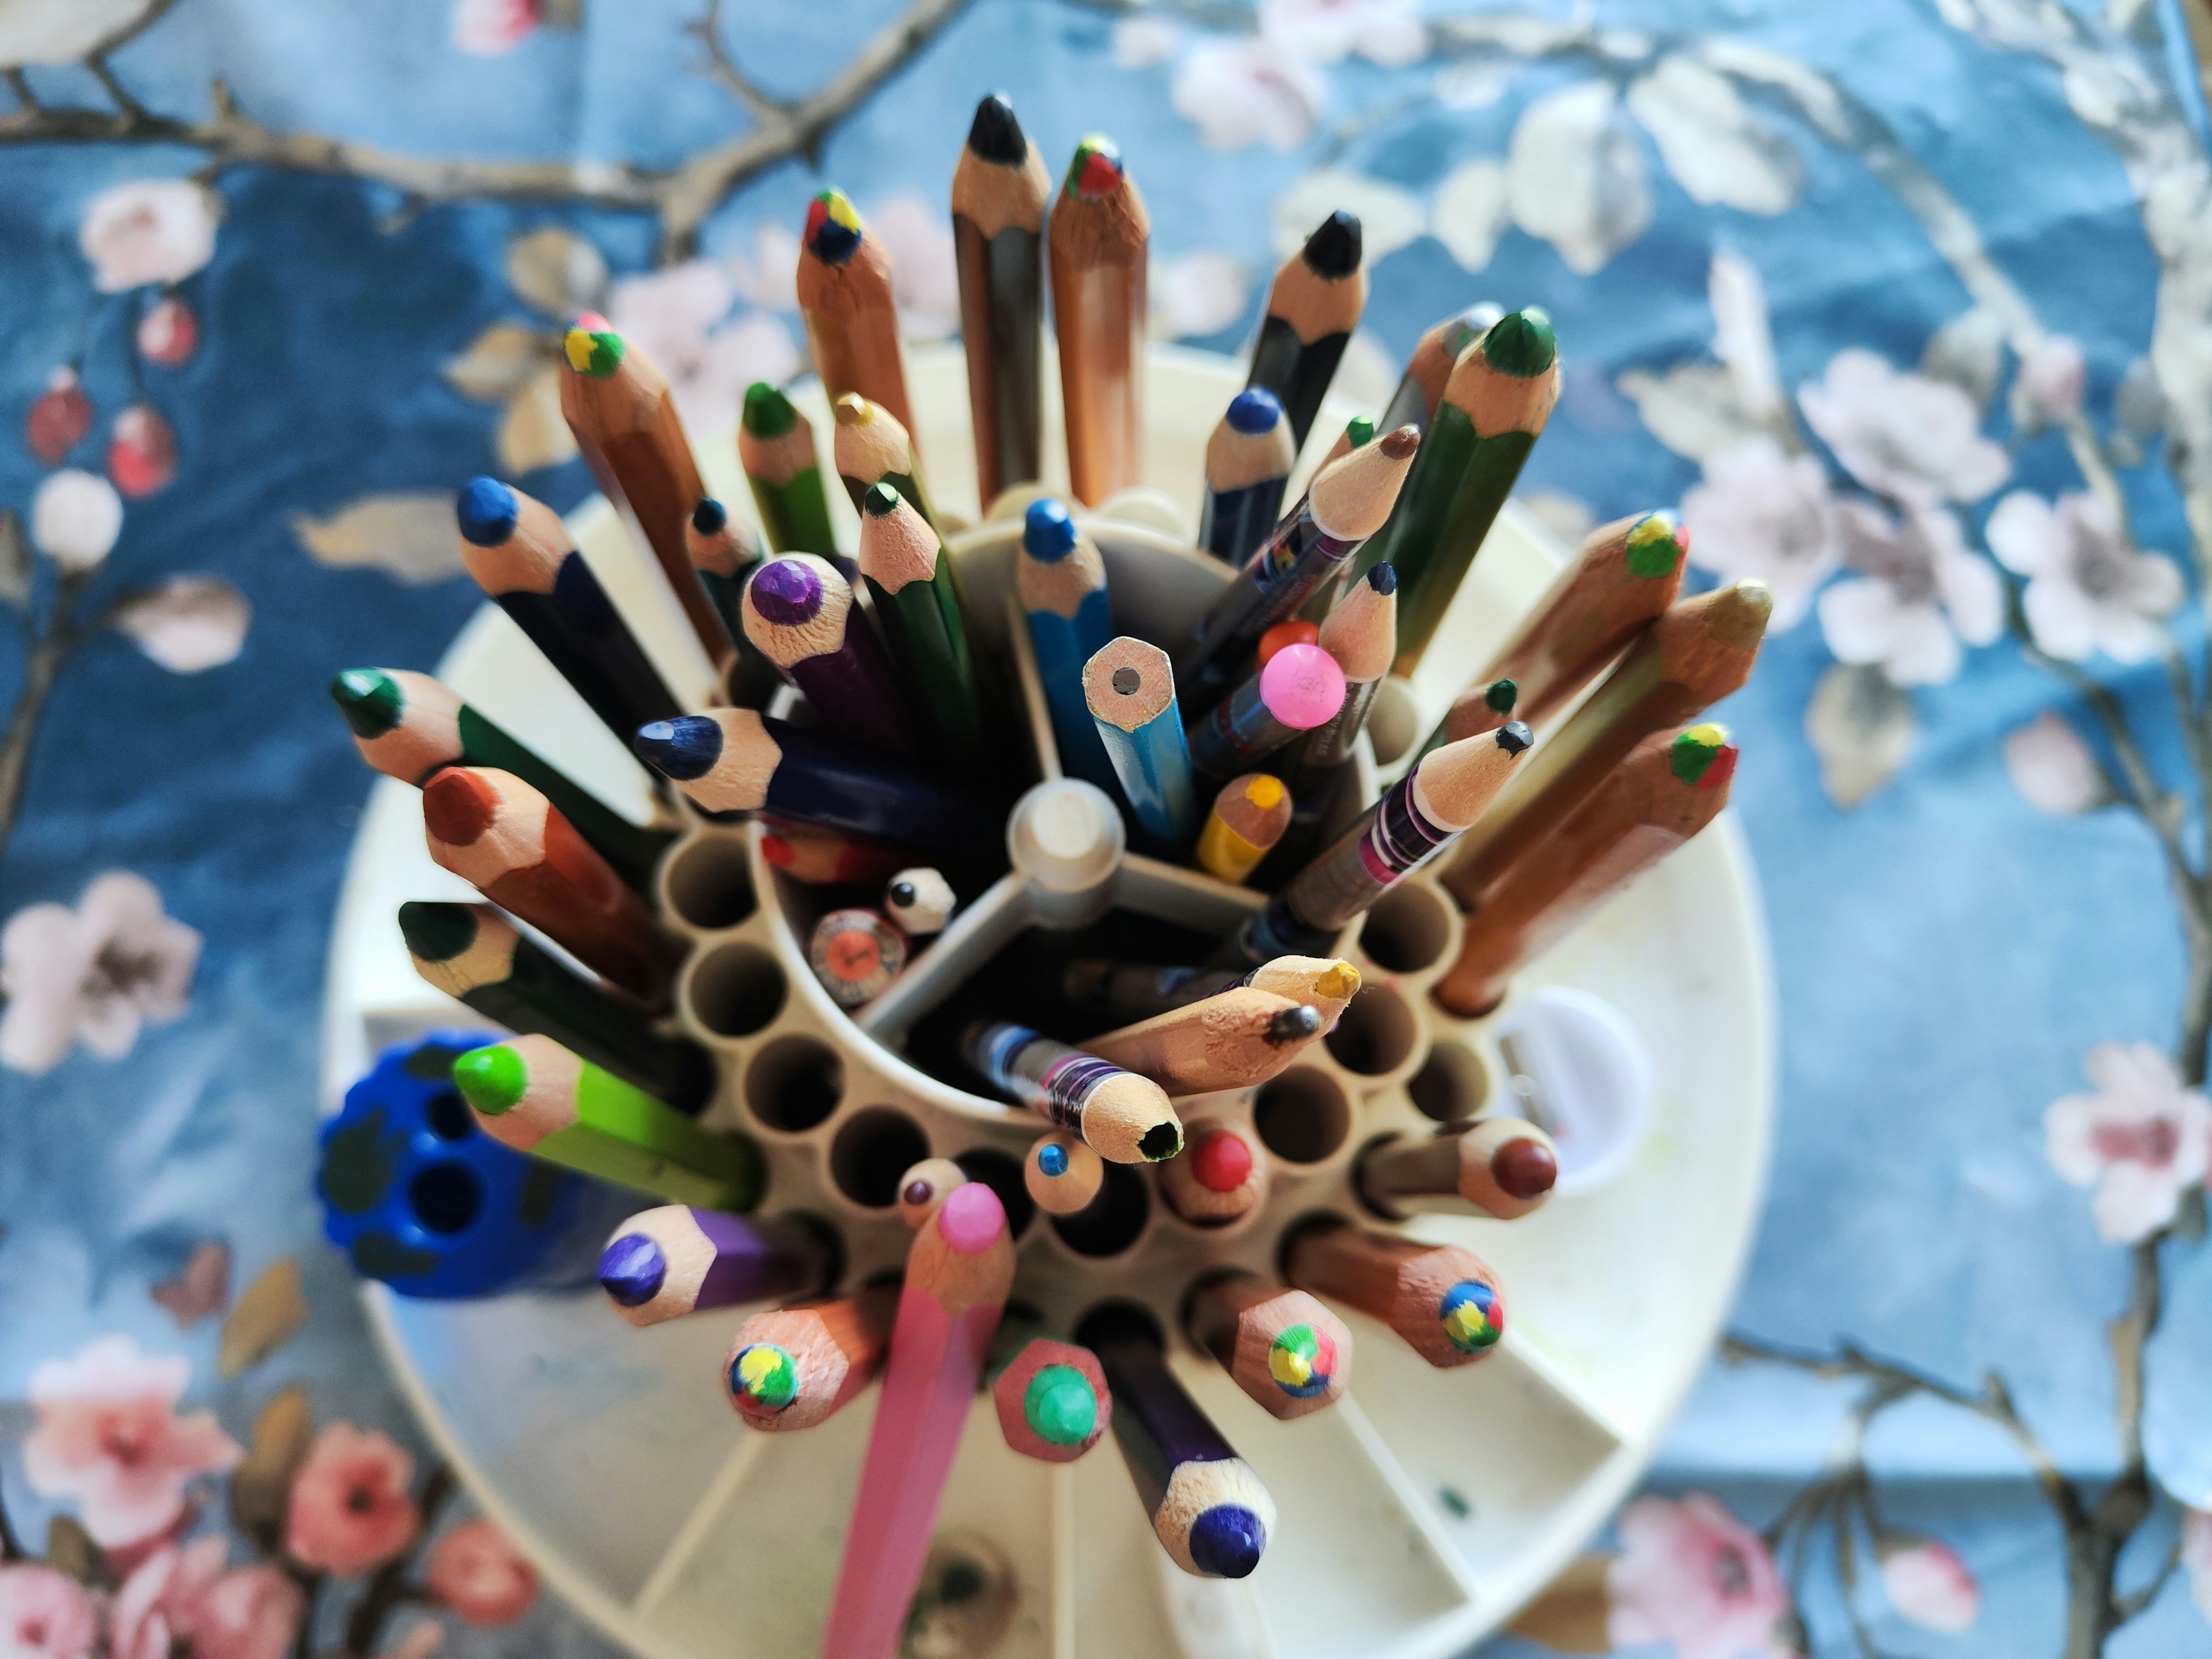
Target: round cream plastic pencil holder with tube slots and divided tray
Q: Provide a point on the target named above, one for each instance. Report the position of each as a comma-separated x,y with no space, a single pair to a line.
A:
1419,1512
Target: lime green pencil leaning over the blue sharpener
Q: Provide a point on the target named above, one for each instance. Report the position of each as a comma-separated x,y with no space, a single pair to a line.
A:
539,1098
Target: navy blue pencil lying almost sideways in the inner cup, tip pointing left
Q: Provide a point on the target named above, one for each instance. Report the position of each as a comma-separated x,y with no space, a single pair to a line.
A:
735,760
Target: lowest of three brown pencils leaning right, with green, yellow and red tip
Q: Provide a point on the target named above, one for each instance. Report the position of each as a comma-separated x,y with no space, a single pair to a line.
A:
1669,789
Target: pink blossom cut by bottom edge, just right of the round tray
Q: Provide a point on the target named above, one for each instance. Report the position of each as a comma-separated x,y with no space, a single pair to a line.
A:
1693,1576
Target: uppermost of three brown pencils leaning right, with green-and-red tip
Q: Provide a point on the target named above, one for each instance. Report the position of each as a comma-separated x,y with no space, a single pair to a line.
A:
1614,589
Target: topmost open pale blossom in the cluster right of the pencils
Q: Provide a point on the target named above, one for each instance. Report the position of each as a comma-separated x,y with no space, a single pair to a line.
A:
1901,435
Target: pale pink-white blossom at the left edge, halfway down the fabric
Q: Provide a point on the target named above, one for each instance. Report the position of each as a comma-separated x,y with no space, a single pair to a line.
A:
94,974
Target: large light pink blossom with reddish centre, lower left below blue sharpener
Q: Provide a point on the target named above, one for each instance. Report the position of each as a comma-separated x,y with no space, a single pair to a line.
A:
112,1439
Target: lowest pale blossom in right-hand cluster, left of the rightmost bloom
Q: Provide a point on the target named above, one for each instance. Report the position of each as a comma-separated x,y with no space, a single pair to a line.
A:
1914,598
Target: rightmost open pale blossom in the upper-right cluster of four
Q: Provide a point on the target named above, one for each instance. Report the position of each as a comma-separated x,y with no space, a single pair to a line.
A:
2087,589
